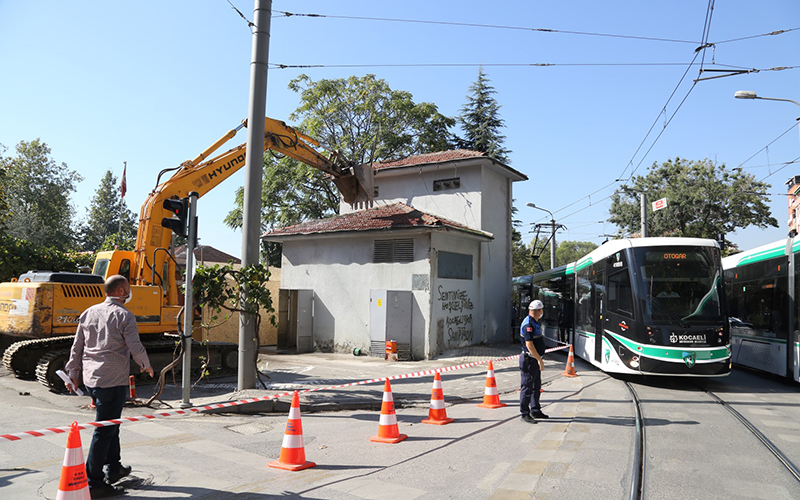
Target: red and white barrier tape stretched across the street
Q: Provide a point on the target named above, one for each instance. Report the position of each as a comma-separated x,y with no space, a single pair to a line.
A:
106,423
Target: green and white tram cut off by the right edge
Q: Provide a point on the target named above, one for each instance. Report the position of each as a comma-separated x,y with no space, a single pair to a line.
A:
761,288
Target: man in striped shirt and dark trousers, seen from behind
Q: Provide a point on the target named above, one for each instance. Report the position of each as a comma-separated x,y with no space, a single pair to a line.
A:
106,338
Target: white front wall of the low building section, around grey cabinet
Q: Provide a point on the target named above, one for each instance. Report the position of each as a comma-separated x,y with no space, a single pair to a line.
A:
341,272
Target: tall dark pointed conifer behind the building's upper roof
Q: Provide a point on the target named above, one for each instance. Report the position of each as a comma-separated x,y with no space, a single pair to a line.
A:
481,122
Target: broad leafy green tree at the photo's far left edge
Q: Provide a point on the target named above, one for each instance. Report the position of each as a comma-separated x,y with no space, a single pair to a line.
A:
37,191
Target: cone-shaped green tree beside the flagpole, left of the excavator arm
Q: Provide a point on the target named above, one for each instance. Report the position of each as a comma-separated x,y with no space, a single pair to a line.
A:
101,230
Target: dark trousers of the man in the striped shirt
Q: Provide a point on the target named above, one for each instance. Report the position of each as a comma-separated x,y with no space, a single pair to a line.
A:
105,441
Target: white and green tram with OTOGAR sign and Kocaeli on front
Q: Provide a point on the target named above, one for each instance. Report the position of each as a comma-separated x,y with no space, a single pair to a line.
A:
646,306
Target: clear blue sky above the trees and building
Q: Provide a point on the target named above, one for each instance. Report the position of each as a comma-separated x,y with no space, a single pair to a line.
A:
154,83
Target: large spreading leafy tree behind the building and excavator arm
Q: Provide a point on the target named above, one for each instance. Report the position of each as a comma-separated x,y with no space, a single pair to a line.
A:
362,118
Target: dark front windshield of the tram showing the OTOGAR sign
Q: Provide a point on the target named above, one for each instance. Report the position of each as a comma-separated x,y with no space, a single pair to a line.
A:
680,284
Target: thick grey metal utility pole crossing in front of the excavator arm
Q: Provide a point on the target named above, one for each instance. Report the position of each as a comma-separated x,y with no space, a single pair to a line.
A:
254,168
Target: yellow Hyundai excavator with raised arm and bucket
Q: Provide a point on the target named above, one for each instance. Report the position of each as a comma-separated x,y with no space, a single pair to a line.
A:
39,311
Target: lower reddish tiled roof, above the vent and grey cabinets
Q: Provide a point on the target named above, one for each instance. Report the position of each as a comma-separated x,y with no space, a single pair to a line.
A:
395,216
